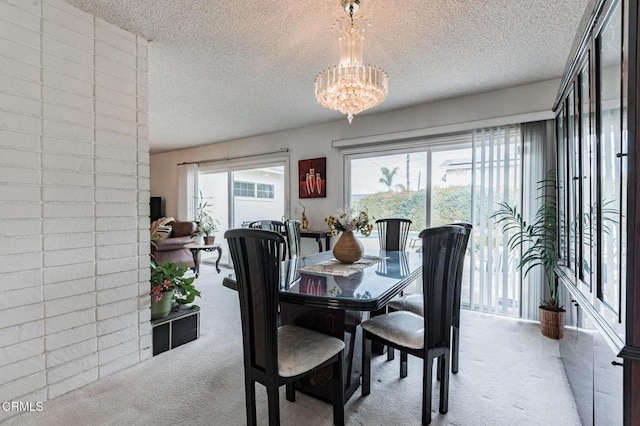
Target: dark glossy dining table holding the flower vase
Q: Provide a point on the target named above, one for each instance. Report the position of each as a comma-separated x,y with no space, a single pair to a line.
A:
320,293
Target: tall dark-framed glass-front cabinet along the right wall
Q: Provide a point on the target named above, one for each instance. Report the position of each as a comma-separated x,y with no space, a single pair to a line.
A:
598,207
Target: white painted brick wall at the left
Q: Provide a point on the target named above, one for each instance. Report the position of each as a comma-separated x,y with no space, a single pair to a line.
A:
74,185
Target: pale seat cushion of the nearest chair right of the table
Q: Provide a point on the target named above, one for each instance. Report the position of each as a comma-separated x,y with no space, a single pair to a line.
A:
401,327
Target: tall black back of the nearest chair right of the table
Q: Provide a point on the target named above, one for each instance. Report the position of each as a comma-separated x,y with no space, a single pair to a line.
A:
441,248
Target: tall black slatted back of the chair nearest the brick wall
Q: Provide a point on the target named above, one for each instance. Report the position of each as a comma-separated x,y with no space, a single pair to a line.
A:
256,258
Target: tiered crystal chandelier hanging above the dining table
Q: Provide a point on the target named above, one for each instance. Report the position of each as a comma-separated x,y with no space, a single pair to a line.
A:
351,87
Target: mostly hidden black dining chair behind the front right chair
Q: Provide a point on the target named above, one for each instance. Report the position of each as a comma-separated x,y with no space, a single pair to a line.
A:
414,304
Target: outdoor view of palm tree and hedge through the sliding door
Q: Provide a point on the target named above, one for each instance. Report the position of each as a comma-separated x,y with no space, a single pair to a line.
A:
397,186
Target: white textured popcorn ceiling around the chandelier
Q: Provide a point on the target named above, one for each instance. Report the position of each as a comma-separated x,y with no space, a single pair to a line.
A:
222,70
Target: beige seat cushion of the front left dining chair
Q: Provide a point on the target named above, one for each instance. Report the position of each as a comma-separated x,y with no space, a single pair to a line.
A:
301,349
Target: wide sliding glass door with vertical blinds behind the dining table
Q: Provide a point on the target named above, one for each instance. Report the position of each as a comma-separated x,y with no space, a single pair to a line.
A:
443,181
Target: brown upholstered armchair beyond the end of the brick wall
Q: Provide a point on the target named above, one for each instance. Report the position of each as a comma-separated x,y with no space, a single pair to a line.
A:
170,246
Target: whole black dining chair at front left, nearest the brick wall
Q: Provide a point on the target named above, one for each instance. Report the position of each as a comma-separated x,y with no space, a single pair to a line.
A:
276,355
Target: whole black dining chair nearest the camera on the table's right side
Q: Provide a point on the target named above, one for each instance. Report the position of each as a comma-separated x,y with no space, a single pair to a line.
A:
429,336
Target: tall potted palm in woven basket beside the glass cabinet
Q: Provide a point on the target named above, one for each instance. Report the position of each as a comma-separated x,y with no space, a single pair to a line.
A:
536,242
